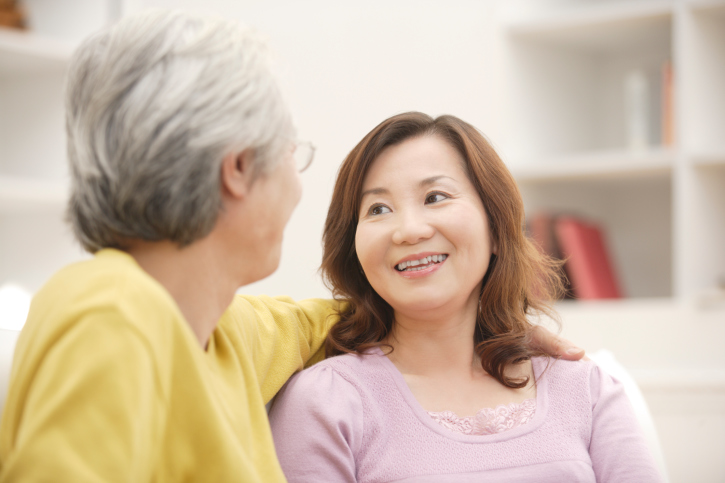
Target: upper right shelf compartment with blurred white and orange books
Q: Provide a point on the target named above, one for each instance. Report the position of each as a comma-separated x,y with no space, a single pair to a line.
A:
566,88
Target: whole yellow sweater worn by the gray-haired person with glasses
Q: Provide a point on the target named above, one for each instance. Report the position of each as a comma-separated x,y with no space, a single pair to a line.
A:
110,384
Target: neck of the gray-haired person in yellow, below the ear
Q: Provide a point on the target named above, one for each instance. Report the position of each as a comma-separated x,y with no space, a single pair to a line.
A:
195,276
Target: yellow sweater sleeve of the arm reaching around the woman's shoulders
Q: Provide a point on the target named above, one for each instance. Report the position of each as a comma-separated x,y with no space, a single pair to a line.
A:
282,335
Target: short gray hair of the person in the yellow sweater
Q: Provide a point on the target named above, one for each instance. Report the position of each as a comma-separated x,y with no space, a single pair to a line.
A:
153,105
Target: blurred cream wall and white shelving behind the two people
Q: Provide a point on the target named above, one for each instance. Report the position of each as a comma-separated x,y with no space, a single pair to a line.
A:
610,114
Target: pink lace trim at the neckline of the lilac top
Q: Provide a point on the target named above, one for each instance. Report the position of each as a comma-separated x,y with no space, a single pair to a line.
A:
488,420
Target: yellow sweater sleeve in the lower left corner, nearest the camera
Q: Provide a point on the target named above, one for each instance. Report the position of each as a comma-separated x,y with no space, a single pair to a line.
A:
89,422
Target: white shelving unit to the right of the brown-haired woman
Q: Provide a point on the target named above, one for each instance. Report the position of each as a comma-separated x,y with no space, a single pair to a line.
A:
564,65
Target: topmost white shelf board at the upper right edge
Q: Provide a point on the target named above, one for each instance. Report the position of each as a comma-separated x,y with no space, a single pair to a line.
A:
610,26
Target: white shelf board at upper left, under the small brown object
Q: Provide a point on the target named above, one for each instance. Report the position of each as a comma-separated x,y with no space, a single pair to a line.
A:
24,52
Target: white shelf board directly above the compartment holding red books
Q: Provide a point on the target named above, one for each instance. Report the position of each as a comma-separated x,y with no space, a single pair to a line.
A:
595,165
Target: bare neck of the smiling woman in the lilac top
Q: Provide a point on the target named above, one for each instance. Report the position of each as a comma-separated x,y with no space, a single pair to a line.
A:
425,345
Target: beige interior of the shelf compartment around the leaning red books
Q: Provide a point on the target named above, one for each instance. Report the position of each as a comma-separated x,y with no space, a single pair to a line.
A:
635,215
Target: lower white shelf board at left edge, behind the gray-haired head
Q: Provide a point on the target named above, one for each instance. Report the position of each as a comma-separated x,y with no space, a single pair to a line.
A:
19,194
